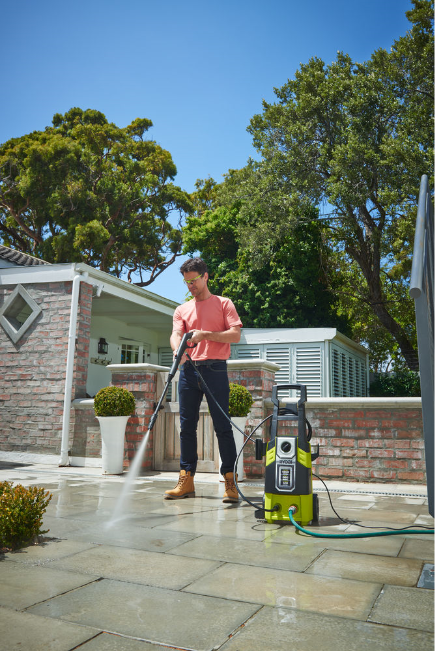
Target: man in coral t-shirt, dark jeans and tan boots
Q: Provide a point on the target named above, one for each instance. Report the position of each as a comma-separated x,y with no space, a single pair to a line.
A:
215,325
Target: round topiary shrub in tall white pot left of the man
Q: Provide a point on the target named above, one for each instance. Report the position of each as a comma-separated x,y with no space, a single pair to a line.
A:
113,407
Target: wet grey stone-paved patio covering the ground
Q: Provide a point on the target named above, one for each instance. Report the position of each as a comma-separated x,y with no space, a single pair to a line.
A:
199,574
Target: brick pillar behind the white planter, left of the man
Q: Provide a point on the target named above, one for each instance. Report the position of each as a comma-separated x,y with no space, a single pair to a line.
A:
141,380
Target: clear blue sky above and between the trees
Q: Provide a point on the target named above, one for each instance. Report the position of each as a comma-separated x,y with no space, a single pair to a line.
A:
198,70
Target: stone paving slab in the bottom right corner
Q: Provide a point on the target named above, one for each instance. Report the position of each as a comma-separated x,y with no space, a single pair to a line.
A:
278,628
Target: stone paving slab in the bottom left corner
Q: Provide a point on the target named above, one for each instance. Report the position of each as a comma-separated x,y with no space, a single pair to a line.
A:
26,632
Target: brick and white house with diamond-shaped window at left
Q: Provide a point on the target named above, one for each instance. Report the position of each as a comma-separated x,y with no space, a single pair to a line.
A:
60,326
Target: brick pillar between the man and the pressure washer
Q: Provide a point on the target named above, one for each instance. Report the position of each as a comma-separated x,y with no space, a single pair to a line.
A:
258,376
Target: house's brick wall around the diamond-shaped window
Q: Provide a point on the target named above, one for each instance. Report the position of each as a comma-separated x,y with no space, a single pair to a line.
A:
32,375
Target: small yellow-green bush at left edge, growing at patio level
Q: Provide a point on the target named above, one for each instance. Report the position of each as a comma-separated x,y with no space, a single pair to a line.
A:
21,511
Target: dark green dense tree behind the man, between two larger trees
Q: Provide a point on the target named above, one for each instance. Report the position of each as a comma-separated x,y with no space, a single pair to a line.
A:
288,289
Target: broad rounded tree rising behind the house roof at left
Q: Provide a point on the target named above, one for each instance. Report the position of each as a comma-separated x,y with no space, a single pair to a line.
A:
85,190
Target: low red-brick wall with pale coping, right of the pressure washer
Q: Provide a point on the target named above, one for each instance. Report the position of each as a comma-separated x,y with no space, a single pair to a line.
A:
374,440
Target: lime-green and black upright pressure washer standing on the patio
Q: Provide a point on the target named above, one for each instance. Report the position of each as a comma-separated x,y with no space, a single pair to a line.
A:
288,480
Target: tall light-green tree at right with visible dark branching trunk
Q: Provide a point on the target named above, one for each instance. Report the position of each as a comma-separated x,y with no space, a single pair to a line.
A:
355,139
